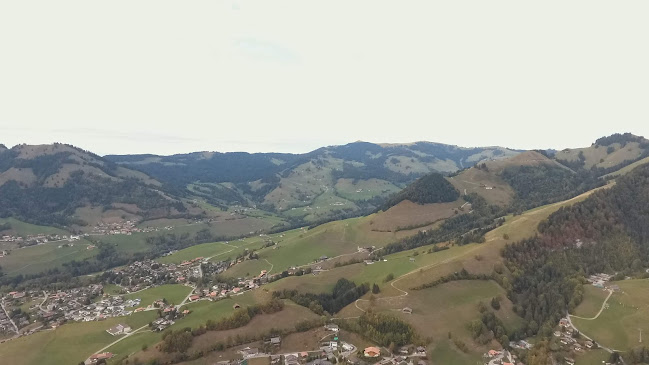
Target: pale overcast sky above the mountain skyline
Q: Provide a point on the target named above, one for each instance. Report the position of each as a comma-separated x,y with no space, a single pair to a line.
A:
167,77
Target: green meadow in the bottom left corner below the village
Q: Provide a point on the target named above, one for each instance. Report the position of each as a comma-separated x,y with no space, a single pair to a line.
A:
68,344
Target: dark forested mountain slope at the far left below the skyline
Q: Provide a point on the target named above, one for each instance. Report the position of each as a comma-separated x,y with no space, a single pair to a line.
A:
46,184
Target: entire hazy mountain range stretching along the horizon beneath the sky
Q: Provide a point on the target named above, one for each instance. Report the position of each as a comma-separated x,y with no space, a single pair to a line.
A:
63,185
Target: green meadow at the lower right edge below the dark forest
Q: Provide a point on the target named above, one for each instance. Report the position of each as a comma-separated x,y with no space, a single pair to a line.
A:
617,327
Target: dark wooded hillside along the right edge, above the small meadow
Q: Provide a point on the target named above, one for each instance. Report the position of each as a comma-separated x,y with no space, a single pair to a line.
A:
608,232
